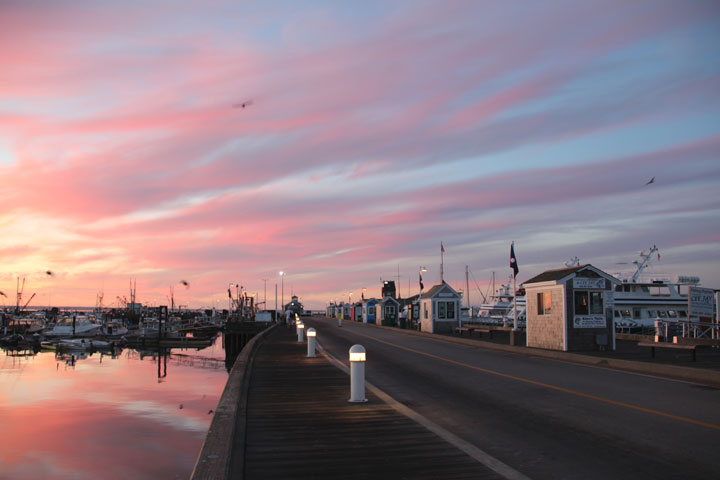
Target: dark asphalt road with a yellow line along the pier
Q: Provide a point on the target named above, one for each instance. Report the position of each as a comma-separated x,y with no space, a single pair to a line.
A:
547,419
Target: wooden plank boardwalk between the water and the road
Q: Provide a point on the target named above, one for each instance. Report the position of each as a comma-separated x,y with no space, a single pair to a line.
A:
300,425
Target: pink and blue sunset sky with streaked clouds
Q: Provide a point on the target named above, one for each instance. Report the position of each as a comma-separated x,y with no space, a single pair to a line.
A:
372,132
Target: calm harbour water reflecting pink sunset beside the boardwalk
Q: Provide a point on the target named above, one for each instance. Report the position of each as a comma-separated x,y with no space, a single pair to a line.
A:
135,415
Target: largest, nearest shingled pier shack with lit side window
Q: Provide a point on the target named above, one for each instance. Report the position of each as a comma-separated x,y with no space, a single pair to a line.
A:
571,309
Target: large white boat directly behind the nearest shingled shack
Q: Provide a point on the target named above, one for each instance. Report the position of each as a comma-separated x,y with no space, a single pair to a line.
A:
641,299
